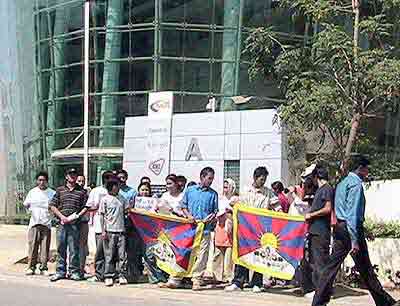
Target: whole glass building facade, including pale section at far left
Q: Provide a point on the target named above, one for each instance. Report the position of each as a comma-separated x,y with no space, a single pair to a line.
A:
191,47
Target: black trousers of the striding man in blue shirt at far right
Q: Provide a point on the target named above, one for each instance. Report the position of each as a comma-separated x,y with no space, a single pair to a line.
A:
341,248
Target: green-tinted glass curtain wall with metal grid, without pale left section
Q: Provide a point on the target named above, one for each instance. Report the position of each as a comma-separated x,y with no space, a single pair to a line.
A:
191,47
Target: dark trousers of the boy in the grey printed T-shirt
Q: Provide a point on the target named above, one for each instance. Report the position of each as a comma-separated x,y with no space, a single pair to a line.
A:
114,252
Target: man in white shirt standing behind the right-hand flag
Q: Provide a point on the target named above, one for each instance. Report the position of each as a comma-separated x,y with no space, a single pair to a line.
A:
258,196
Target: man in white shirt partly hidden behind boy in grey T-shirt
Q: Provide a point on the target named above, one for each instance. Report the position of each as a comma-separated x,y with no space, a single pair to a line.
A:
95,197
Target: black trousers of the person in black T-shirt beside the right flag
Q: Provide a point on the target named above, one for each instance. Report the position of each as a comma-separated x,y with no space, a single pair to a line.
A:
319,255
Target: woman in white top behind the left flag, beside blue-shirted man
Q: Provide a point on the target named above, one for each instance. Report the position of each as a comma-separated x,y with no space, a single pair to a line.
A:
170,202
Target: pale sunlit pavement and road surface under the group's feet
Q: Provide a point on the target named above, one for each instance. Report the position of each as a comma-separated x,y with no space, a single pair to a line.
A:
19,290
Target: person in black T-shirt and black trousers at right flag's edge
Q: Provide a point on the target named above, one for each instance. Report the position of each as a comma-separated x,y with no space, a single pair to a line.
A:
319,231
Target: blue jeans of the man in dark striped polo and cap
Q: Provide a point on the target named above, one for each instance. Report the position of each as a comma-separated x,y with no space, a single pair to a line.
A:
68,241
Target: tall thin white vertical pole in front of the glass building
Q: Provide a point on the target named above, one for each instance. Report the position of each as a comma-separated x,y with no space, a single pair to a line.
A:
86,96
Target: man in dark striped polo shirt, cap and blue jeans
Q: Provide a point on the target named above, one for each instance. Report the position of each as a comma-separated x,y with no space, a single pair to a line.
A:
68,205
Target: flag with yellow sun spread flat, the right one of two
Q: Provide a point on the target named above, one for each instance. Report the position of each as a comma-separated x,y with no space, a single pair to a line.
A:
268,242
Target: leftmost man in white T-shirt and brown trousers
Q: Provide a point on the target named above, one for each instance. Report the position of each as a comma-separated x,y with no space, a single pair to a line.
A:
39,233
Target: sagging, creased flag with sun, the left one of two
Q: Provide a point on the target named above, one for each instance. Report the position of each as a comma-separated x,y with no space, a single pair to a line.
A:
174,241
